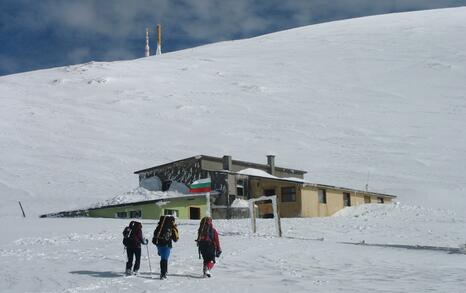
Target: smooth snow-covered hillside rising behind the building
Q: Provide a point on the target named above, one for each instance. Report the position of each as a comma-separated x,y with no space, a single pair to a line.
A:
378,99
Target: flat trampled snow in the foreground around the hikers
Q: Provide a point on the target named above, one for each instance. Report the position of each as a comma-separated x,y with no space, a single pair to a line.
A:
86,255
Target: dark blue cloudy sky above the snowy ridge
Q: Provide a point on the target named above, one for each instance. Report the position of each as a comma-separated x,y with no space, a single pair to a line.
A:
37,34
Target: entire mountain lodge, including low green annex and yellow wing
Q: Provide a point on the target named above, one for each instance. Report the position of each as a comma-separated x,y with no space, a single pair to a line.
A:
232,181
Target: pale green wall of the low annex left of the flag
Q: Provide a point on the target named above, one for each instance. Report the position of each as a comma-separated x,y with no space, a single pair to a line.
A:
154,210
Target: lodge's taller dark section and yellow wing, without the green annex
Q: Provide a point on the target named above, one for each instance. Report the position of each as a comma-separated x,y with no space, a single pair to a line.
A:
233,179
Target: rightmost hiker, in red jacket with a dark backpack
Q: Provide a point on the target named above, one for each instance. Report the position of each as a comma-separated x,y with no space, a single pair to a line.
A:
208,244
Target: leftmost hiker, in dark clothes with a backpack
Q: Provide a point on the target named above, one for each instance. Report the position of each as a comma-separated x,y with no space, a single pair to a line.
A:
132,240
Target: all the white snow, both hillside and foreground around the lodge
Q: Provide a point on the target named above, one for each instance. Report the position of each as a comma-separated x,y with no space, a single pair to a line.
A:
377,100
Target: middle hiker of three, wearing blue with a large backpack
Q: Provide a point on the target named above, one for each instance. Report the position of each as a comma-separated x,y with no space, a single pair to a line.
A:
164,234
